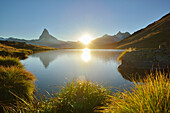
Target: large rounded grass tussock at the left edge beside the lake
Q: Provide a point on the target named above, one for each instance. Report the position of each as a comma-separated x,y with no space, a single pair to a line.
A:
16,80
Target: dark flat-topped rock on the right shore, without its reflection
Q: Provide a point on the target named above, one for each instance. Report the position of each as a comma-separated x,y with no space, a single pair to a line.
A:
147,59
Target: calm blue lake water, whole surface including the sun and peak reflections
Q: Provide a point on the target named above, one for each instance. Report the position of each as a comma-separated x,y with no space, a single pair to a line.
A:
54,68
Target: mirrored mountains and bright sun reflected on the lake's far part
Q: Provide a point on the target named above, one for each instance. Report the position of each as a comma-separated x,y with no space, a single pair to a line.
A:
85,55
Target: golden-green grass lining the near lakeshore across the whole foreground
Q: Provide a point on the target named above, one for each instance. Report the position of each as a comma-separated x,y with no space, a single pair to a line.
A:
18,93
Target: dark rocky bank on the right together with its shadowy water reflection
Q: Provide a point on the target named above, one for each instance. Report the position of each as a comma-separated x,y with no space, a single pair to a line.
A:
143,62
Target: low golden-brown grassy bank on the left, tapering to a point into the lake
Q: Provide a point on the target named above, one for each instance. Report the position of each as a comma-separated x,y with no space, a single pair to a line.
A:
20,50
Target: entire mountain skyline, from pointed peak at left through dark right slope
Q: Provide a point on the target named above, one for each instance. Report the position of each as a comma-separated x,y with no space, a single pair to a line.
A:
152,36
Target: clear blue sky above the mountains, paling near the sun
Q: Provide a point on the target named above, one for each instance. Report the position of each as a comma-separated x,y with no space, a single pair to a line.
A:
70,19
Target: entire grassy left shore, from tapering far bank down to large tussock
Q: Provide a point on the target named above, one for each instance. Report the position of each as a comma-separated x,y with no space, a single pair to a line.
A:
14,79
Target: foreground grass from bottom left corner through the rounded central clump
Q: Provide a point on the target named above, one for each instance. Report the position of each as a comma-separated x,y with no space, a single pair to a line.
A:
75,97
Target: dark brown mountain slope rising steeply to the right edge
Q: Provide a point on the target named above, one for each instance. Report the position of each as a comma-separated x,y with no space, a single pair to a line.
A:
152,36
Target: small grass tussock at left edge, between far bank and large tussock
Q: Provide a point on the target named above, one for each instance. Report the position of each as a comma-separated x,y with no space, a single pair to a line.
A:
10,61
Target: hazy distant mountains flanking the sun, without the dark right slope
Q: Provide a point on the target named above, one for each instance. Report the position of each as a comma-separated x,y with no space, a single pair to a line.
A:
46,39
